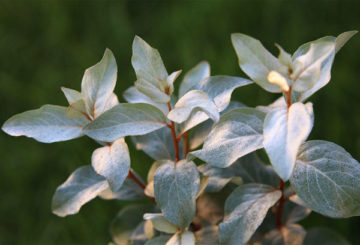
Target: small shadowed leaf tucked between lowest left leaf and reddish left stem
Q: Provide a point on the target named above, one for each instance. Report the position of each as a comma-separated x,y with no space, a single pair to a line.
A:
129,191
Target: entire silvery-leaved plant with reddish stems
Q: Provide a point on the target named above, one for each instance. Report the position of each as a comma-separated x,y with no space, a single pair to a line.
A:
262,207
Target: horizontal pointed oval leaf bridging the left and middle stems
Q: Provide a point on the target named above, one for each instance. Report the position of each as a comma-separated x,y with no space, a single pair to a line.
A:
124,120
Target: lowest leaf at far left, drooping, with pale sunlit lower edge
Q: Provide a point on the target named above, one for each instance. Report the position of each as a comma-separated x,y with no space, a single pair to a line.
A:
82,186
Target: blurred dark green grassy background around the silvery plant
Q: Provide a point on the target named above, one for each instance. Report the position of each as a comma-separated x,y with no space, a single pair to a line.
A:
48,44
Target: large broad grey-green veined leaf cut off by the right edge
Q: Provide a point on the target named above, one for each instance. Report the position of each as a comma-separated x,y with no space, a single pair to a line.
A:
327,179
